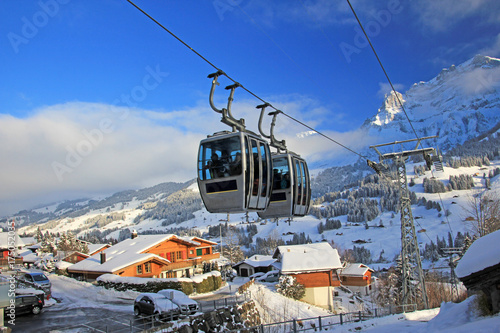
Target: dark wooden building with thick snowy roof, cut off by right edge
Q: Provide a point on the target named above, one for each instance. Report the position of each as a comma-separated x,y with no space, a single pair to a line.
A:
479,269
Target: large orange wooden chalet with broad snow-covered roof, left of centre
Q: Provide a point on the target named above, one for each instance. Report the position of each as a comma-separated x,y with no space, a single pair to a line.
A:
150,256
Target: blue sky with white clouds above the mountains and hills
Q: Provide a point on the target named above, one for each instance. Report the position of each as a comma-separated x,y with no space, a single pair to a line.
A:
95,97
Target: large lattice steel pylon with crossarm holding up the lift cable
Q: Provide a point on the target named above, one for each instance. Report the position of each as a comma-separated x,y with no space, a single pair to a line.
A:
413,284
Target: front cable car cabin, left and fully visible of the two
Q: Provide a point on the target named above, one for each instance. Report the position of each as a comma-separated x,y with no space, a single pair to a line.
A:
234,172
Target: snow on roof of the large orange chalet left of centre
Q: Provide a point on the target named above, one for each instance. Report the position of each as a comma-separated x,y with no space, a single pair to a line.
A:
123,254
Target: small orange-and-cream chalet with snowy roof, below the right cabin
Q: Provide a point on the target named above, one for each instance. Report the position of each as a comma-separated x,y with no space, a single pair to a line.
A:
315,266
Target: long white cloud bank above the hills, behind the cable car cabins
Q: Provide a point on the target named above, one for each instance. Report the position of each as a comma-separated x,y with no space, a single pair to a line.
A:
76,150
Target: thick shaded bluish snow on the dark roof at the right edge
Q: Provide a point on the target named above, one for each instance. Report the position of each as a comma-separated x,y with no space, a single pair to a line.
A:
483,253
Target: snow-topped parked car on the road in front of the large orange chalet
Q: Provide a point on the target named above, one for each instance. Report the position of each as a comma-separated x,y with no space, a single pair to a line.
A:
156,304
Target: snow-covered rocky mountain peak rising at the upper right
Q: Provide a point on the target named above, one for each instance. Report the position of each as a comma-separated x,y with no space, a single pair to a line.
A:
460,103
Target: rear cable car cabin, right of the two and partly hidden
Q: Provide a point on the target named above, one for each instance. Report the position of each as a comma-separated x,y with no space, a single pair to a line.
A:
291,193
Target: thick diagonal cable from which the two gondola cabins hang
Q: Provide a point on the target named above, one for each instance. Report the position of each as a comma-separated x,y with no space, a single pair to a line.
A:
221,72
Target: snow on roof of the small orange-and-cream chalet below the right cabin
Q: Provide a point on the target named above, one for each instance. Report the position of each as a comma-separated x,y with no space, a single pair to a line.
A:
308,257
